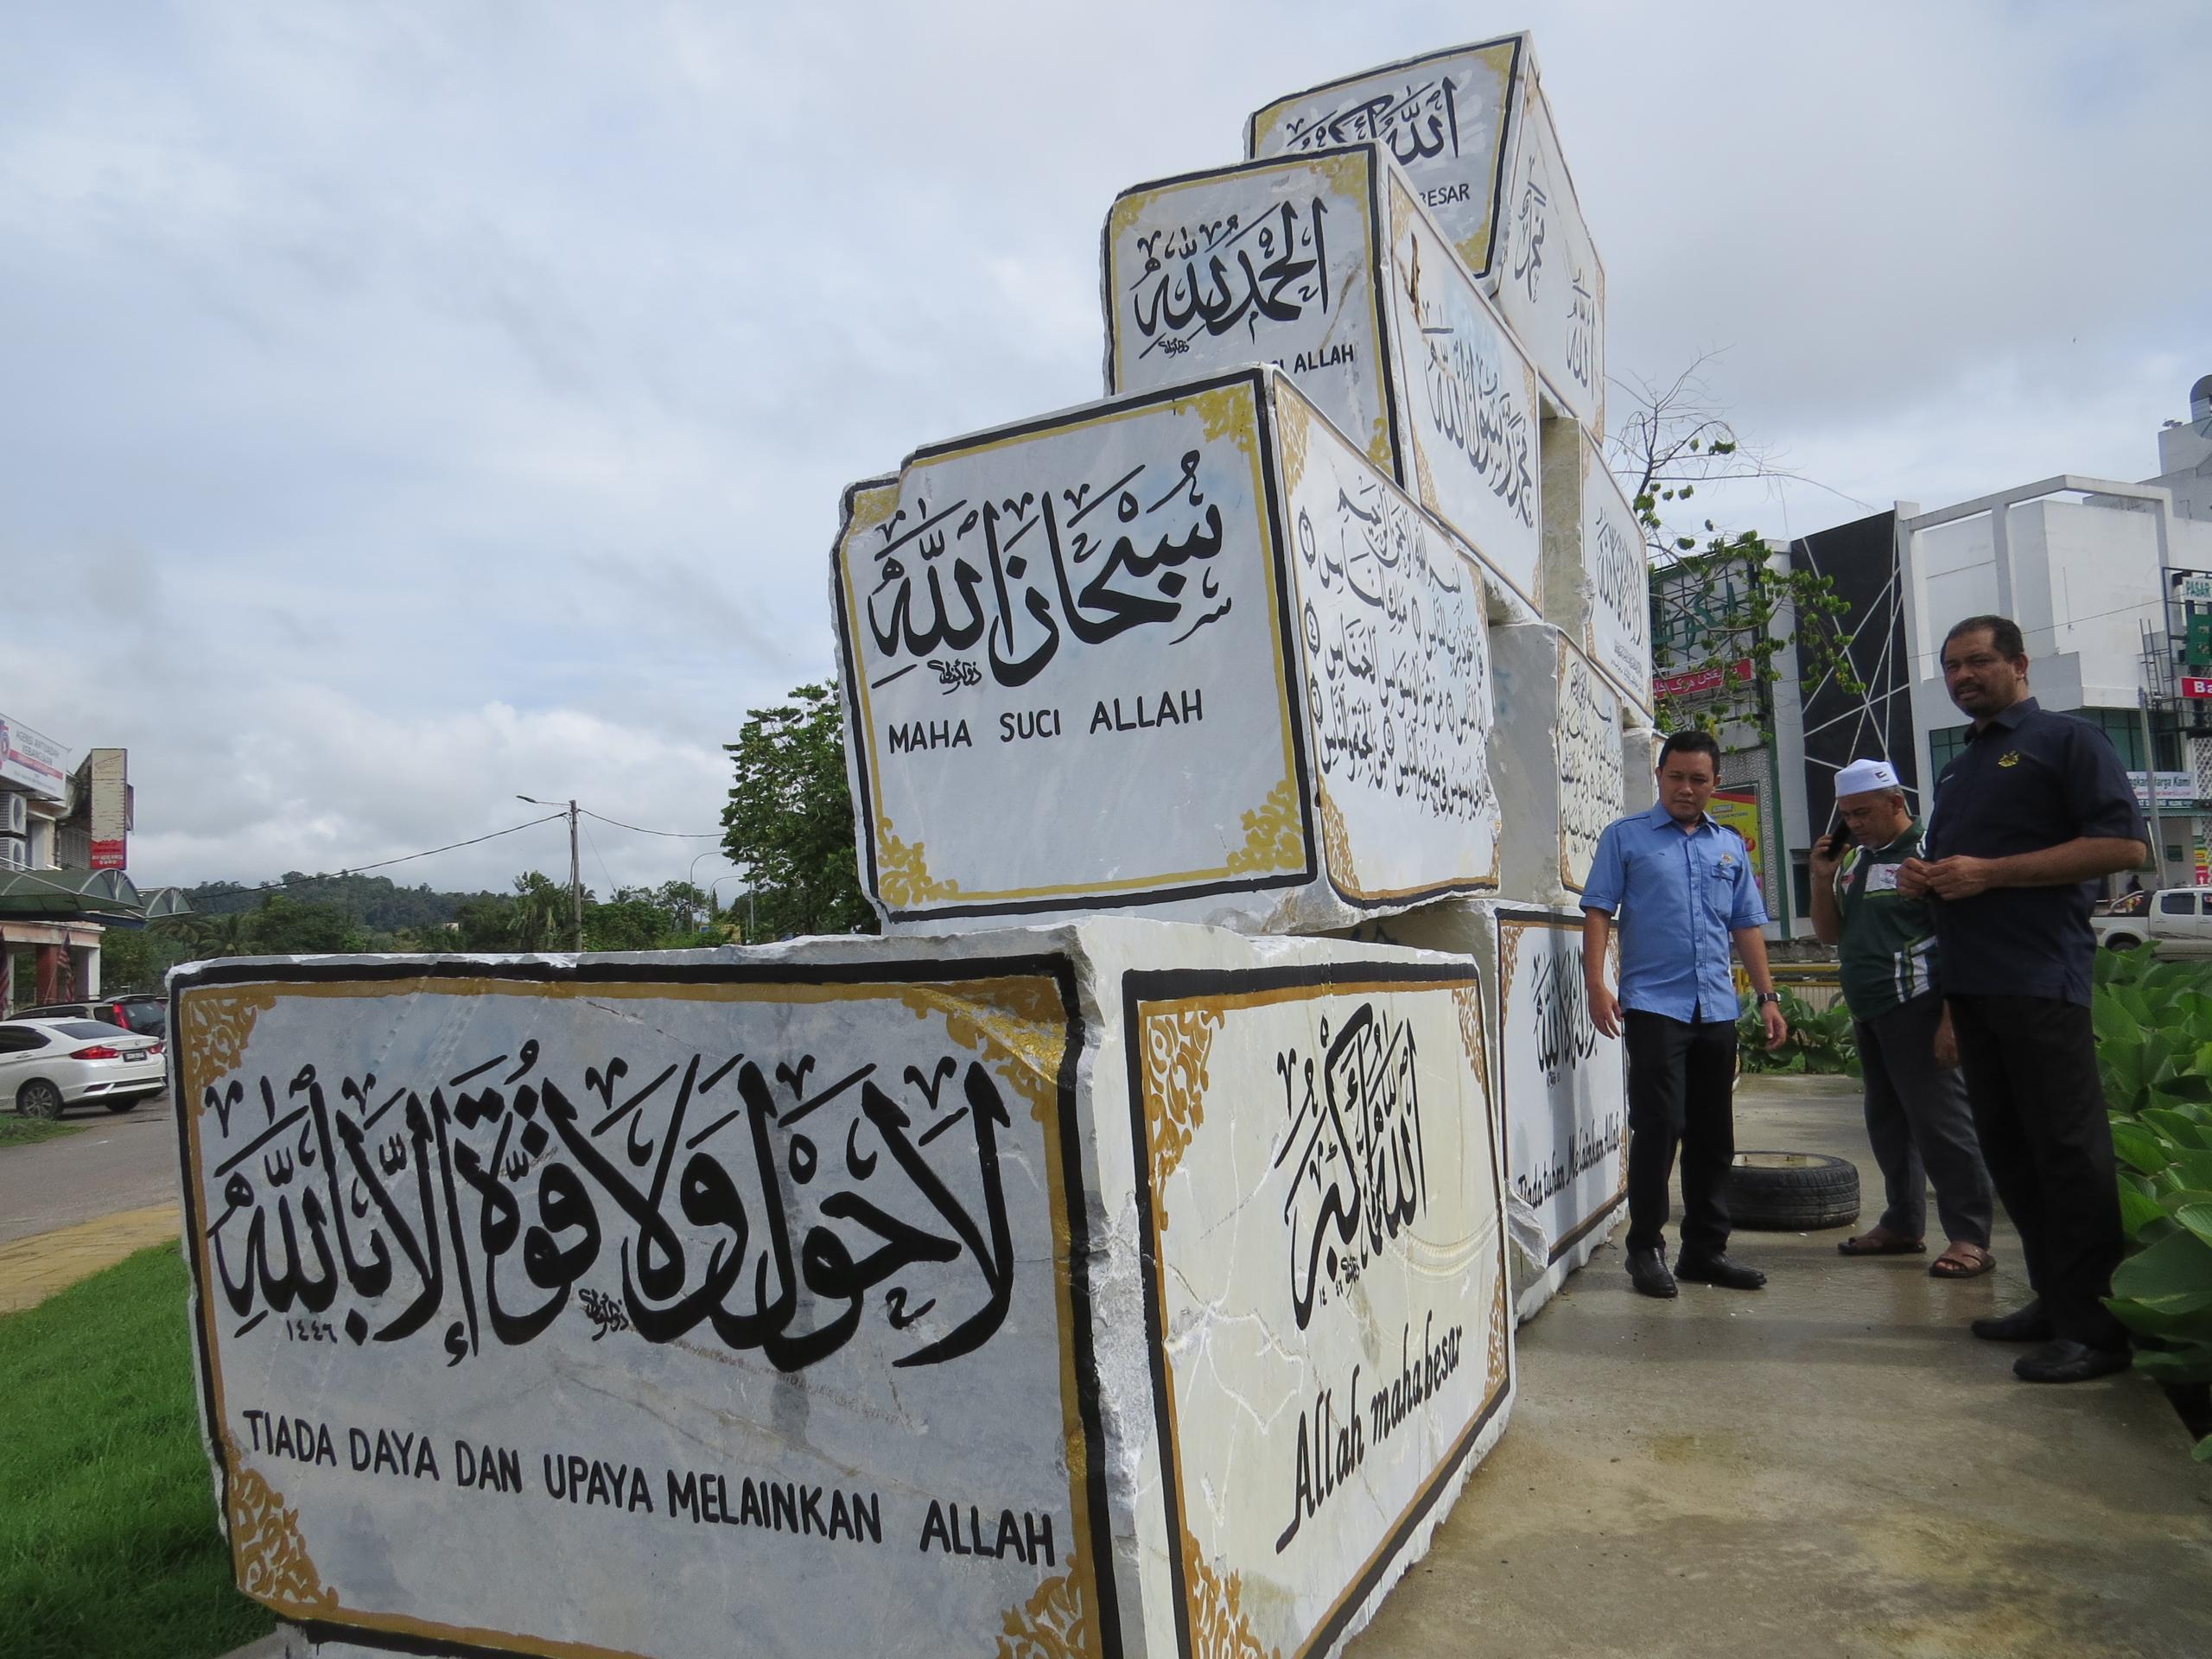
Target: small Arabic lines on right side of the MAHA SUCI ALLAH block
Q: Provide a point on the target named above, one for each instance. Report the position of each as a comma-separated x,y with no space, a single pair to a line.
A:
1395,669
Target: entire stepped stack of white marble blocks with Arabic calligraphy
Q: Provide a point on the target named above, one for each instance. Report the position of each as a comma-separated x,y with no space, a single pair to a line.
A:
1105,1262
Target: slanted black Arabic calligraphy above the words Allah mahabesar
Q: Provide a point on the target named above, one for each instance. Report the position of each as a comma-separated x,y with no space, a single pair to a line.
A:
1350,1154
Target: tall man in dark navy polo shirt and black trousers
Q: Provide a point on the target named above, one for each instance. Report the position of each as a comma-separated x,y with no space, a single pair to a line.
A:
2023,820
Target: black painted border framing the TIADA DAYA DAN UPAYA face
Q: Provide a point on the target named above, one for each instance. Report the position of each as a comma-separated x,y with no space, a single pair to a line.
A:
587,972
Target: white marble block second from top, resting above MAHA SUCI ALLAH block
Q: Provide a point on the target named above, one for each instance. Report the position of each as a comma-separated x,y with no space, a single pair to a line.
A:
1333,271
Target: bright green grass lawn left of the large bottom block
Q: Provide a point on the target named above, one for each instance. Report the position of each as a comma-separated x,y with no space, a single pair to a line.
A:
107,1516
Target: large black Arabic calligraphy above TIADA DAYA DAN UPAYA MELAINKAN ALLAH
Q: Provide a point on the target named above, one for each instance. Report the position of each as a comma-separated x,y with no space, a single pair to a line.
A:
738,1196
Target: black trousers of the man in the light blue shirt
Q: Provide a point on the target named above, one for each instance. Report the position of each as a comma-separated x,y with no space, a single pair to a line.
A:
1680,1098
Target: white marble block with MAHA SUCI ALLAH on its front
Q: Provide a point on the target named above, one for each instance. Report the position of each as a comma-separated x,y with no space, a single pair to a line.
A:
1180,654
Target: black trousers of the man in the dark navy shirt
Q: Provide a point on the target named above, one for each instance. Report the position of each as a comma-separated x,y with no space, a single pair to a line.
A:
2038,1107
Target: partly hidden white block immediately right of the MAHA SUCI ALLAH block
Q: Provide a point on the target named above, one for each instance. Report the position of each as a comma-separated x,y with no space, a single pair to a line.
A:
1558,760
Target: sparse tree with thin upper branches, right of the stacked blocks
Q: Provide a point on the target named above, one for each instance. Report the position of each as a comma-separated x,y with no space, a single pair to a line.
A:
1718,598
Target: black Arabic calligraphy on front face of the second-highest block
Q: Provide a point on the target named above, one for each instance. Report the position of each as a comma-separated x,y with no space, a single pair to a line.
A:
1224,273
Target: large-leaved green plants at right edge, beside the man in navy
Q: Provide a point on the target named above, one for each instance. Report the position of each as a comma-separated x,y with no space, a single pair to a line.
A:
2156,1054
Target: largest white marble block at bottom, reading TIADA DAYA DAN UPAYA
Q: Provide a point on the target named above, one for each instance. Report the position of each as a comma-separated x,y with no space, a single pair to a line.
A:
1092,1291
